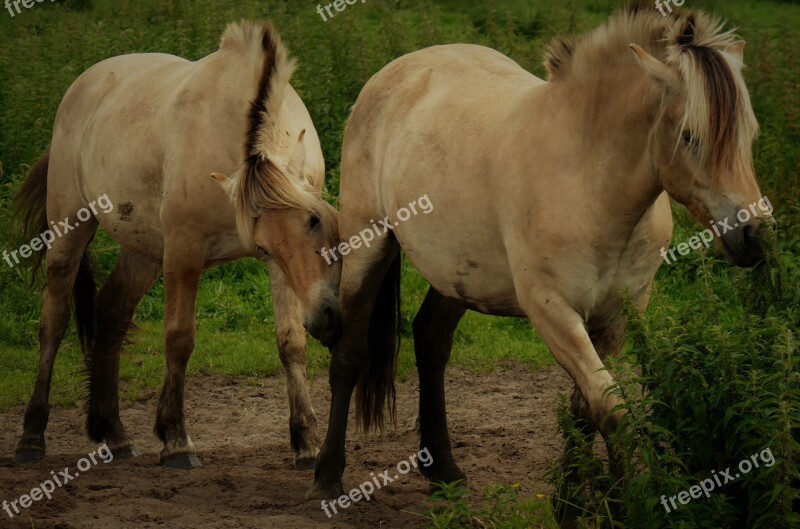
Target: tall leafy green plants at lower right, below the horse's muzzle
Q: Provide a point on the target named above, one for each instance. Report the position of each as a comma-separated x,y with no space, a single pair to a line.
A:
704,396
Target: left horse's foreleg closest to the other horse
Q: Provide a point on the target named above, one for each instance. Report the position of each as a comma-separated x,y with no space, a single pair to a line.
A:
291,338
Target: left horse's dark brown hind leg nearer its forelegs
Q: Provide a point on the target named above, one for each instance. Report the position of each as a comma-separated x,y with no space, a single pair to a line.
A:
115,304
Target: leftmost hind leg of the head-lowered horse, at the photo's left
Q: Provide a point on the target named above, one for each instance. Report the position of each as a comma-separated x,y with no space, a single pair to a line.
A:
68,266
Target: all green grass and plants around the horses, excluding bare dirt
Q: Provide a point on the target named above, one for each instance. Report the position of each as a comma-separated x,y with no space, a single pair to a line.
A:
716,351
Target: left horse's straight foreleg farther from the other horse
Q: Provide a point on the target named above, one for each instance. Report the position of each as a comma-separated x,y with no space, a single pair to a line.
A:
182,271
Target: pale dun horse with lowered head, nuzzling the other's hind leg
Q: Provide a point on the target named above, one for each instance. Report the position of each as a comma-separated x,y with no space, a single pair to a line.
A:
148,131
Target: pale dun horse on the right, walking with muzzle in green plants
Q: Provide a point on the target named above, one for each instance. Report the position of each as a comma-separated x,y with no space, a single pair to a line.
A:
551,201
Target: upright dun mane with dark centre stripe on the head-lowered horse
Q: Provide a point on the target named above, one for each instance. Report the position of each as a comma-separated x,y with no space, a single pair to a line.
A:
260,184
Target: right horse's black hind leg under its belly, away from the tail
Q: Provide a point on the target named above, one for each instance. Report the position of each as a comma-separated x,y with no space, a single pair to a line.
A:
434,327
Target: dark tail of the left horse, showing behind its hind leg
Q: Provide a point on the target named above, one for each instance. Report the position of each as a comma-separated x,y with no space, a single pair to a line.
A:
30,206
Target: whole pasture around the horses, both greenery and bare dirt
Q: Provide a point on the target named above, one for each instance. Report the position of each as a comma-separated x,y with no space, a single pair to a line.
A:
716,351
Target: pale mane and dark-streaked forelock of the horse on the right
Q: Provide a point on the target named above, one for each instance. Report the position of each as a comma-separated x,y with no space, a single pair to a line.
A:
717,113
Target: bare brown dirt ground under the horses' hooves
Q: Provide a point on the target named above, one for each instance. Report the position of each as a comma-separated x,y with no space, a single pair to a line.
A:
503,429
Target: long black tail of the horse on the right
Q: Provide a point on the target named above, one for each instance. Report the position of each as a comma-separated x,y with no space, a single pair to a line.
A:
375,390
